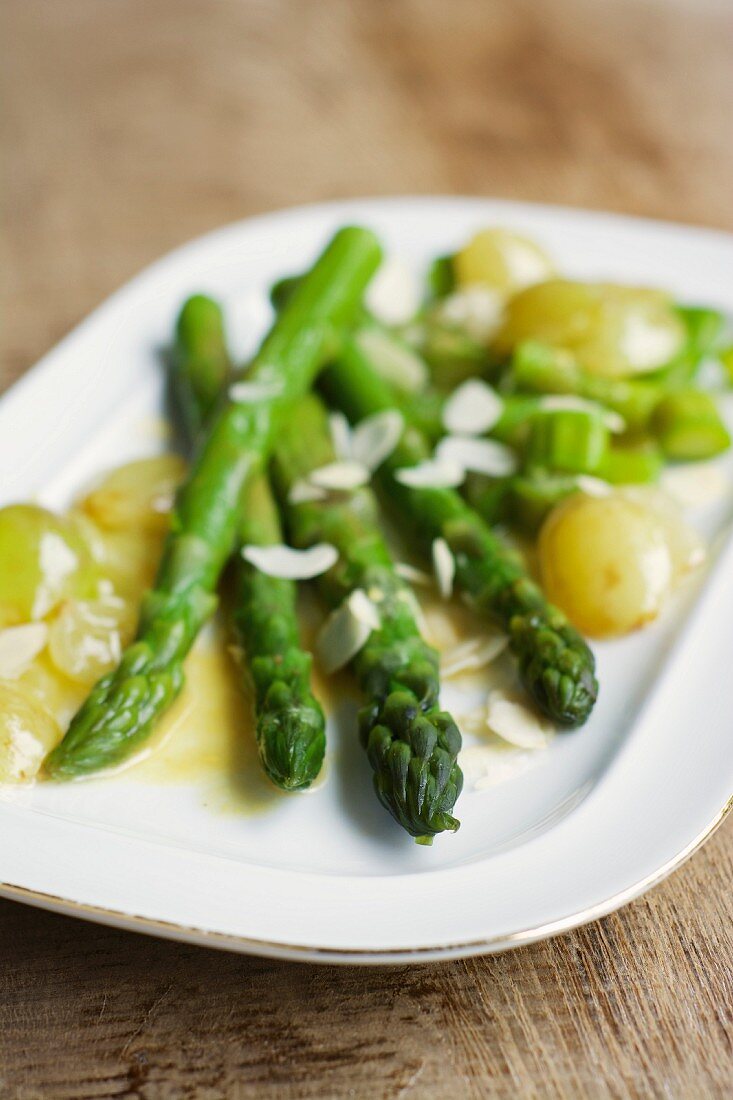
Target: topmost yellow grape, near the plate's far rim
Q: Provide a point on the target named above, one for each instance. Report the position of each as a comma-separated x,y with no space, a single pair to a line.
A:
501,260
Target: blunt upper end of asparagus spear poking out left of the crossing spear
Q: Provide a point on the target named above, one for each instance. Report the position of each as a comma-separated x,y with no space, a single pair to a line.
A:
200,361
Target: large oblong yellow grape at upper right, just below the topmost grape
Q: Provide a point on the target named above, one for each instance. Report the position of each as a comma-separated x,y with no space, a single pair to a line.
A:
615,332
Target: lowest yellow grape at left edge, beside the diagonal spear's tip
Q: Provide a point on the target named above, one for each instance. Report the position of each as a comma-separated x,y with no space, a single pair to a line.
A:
27,734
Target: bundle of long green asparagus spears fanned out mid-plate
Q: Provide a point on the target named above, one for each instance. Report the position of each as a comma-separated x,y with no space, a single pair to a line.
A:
245,430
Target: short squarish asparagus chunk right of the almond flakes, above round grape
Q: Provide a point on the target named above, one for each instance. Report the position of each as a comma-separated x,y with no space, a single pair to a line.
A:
571,442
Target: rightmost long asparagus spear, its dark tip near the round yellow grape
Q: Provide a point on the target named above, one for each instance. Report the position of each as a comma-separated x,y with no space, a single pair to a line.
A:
555,664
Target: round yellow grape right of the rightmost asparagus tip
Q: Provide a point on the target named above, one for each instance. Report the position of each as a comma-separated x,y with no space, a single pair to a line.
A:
606,563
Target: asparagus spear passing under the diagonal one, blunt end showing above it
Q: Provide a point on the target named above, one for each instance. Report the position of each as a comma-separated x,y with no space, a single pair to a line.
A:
290,722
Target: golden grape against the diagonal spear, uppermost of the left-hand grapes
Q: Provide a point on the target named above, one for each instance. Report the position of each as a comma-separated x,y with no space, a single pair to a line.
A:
137,497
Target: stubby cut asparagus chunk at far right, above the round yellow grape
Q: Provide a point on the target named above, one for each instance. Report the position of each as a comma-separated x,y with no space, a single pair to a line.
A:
688,426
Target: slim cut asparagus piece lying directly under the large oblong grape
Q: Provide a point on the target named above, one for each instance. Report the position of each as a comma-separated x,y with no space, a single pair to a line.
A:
539,369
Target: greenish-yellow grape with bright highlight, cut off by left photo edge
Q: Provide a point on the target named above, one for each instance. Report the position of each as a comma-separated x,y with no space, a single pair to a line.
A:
43,560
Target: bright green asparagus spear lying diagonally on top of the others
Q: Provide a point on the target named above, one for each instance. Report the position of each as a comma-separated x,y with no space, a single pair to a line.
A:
125,706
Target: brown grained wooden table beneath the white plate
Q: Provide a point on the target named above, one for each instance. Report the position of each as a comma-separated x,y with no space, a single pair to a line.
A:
130,127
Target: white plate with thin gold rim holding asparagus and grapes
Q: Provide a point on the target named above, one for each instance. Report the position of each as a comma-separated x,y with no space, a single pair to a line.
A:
603,815
